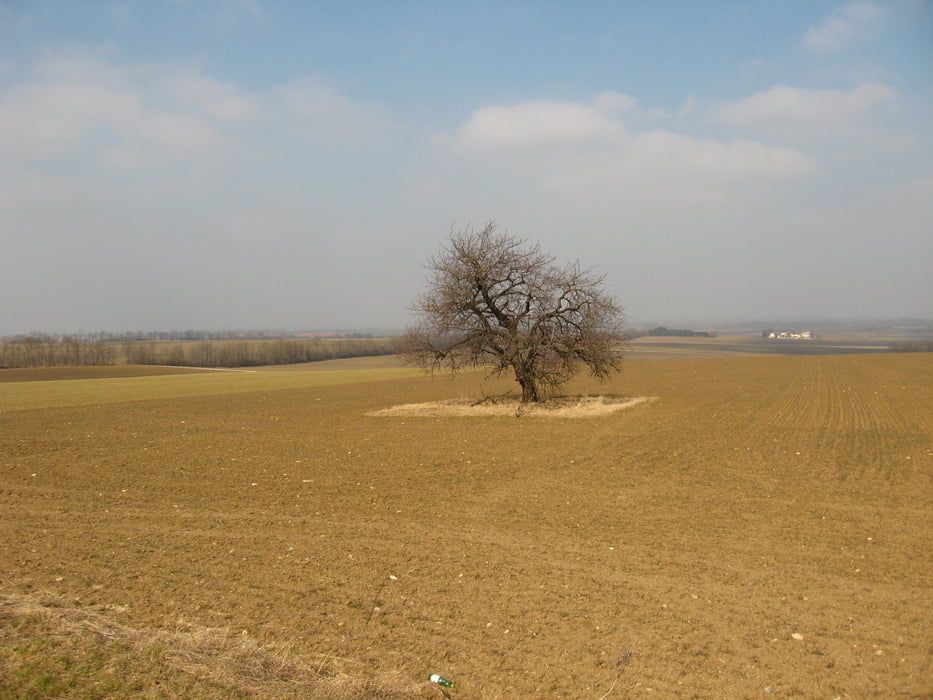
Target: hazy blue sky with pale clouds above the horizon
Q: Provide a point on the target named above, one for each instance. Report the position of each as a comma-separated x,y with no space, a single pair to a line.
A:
272,164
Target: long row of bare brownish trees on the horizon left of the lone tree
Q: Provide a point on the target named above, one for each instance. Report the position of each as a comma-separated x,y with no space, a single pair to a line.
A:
45,350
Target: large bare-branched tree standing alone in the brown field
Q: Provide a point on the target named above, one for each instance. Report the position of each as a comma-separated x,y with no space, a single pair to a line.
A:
495,300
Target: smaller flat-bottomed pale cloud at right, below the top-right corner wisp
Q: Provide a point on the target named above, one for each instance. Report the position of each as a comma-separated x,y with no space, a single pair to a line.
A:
802,114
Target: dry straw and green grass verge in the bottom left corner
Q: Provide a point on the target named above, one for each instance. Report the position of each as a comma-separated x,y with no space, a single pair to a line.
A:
49,648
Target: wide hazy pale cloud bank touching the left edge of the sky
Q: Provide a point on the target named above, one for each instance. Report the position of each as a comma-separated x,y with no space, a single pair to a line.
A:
97,112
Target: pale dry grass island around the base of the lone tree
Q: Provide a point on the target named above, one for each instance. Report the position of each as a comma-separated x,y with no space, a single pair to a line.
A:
564,407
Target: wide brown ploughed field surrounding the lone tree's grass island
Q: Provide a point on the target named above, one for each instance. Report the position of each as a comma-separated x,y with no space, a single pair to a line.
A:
763,528
